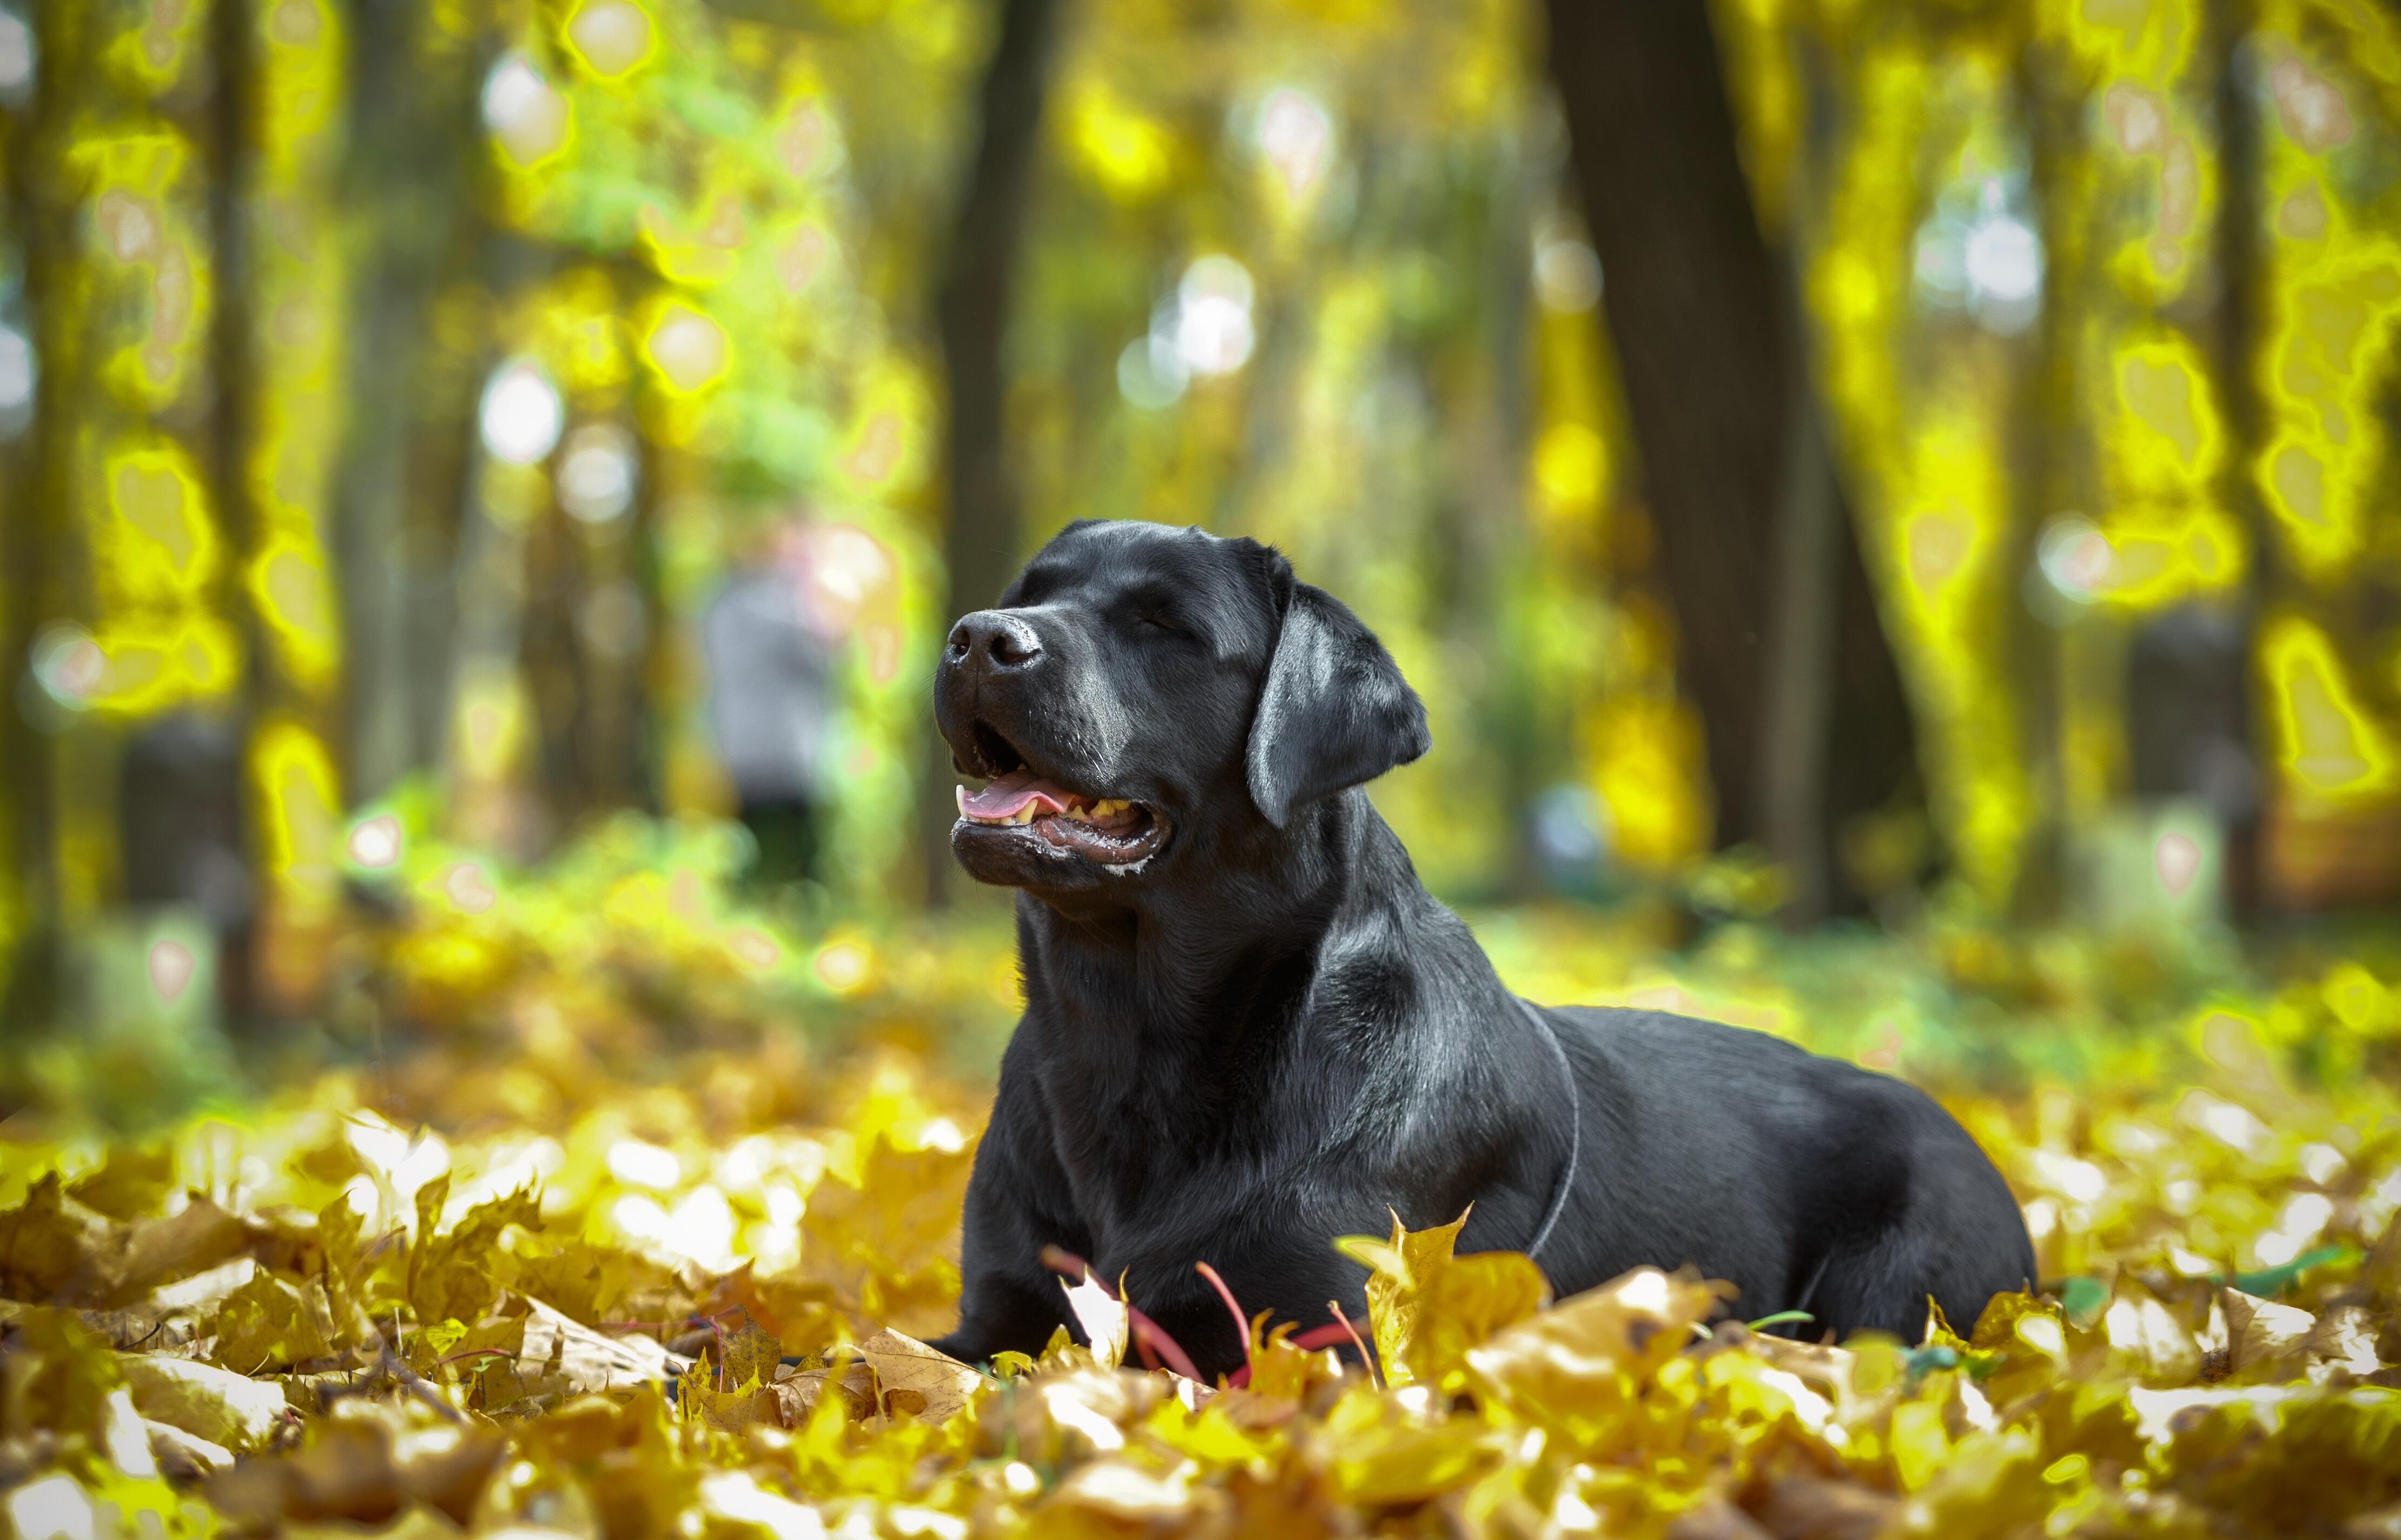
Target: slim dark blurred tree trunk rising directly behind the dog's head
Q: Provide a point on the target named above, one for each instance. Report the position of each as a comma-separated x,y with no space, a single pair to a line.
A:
971,315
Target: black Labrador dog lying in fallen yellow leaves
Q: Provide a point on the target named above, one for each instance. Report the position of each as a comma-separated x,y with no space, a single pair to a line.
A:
1250,1028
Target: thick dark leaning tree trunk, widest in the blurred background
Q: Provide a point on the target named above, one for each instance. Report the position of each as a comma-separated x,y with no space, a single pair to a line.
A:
1716,395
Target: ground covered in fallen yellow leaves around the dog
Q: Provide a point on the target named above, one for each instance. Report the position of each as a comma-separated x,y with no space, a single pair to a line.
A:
582,1237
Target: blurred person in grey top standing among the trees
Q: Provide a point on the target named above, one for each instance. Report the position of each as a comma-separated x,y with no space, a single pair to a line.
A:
770,644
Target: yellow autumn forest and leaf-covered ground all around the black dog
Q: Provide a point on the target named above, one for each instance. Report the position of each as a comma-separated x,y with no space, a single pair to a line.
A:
1891,507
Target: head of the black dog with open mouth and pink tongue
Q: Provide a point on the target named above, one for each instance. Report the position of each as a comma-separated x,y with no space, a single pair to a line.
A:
1144,694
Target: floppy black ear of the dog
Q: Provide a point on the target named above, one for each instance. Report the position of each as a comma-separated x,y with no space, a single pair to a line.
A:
1334,714
